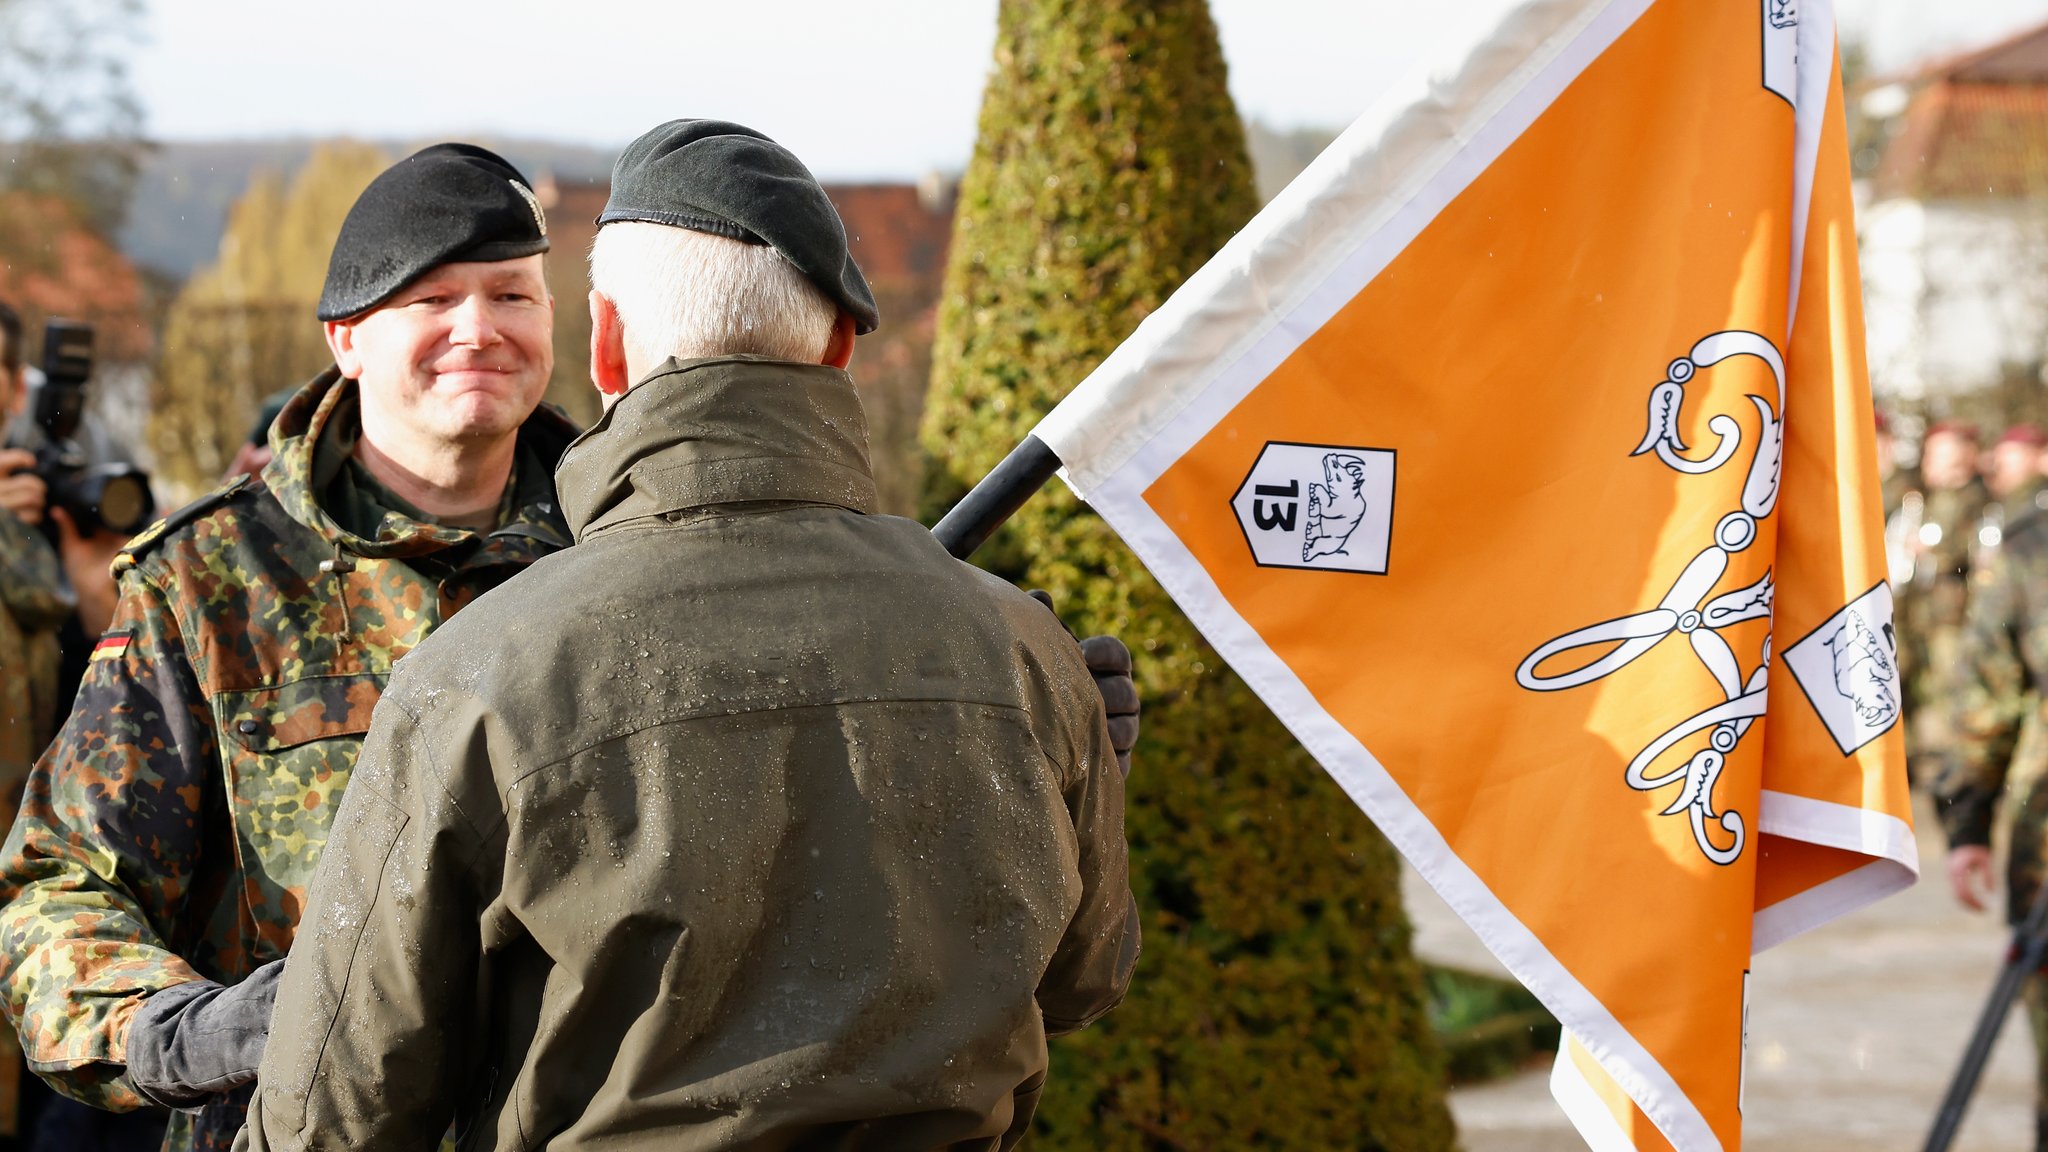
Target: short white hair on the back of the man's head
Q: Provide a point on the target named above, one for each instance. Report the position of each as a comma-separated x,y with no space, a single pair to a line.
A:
689,294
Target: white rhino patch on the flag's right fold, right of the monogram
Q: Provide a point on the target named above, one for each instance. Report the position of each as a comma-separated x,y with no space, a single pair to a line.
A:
1850,671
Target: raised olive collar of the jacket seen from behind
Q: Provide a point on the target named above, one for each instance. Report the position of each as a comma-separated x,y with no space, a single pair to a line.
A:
720,431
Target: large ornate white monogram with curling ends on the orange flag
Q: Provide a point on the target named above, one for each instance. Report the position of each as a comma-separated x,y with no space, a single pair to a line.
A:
1687,608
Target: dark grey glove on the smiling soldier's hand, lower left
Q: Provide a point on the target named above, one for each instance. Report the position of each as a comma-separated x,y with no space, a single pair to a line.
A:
198,1040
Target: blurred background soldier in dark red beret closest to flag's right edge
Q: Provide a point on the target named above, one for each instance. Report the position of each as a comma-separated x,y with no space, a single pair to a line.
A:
1932,602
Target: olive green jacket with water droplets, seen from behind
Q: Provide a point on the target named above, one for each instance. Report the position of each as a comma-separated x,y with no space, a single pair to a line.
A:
753,821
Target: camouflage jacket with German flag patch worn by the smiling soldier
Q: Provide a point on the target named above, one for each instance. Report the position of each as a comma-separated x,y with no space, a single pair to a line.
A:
173,827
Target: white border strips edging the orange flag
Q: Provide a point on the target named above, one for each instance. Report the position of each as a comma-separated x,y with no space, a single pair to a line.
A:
1281,280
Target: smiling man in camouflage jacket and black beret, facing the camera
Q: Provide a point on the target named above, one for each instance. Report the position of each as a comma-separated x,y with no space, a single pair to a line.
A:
157,874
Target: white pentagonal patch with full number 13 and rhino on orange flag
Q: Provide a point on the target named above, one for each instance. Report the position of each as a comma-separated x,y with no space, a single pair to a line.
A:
1320,507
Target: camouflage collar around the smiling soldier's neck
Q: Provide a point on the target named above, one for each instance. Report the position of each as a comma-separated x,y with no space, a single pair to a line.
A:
316,436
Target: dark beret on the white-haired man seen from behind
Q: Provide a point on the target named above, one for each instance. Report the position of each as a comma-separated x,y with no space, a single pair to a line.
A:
734,181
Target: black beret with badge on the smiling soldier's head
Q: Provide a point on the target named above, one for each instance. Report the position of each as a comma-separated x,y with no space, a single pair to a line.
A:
443,204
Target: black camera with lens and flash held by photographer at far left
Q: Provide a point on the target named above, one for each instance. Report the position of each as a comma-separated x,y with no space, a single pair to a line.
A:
114,497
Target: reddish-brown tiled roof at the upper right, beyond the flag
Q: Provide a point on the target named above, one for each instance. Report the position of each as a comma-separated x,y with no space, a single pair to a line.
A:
1977,126
